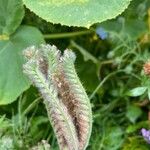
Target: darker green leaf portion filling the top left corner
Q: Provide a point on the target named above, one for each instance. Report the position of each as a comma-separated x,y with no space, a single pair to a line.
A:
11,14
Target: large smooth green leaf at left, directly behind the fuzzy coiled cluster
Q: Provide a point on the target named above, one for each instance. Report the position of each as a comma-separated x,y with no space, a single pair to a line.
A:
12,80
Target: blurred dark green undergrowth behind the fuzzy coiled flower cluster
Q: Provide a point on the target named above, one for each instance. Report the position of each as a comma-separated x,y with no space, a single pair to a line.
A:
110,58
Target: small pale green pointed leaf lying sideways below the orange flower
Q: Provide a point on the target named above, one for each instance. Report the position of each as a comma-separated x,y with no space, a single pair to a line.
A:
137,91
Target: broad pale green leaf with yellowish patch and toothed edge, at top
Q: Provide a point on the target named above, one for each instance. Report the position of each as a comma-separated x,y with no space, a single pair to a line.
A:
77,12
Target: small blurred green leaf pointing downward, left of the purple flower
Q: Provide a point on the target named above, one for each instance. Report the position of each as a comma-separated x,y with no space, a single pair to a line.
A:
133,113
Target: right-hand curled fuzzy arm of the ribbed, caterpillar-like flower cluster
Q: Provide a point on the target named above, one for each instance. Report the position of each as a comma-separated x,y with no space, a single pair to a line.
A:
83,113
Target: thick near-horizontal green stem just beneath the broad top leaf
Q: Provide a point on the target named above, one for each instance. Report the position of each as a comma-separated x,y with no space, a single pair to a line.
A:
67,34
